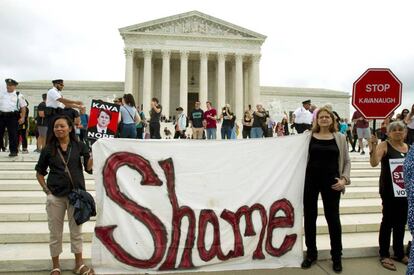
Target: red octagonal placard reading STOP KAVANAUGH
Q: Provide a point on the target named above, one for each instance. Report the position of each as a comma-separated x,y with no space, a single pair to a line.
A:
376,93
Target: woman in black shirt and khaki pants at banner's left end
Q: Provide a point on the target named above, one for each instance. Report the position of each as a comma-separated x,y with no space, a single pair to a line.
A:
63,154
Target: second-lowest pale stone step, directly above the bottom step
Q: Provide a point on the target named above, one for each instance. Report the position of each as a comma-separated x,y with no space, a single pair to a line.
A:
38,232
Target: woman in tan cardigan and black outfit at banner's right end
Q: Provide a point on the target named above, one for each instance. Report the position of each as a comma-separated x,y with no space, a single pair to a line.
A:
327,172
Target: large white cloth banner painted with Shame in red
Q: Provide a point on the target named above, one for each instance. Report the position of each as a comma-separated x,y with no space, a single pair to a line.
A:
198,205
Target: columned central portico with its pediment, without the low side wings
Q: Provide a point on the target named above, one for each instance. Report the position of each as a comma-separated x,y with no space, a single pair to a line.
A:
192,56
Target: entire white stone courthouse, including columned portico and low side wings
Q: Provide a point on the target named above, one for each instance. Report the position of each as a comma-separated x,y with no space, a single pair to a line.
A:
188,57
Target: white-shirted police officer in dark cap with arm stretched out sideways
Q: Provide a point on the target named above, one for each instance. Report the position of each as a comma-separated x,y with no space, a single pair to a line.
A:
56,103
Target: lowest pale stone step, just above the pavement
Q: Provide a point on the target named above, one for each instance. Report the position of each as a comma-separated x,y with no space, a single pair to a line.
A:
35,256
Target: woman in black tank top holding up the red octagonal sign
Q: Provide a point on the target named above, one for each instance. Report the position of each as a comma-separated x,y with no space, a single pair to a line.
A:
391,155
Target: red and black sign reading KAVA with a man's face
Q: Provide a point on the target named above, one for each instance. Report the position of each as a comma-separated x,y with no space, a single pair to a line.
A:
103,120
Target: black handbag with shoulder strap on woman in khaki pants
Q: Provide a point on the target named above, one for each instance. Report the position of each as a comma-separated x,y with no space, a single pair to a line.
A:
81,200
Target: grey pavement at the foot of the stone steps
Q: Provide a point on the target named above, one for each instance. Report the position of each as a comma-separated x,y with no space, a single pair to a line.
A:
355,266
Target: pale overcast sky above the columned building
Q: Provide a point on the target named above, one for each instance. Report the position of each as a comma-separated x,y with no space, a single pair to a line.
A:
318,43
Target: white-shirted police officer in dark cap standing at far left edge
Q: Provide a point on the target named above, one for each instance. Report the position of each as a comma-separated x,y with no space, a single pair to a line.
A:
12,113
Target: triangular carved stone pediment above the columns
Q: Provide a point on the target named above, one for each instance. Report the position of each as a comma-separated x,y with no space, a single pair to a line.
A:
192,23
